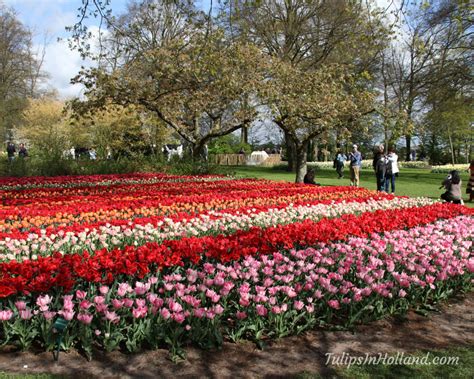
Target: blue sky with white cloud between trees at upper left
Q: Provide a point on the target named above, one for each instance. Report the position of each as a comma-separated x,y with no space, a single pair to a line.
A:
47,20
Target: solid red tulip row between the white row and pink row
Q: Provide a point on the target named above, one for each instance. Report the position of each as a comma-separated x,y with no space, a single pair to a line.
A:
105,266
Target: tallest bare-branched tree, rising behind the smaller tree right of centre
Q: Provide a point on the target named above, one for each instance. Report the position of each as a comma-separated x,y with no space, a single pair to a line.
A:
309,34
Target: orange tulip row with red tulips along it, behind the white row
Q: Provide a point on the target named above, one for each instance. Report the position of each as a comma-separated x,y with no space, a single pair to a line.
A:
103,209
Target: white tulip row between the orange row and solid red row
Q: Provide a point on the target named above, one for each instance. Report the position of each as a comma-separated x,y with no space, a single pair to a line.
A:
32,245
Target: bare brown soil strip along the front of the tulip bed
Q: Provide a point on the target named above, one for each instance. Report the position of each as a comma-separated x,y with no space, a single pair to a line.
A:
452,327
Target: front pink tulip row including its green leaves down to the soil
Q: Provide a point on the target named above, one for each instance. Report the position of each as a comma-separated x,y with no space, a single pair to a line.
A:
287,292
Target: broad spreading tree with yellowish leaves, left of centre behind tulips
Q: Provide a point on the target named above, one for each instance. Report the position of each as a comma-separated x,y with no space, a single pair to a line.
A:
198,86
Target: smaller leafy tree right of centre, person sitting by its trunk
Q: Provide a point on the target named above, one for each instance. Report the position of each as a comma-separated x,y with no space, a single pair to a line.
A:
309,104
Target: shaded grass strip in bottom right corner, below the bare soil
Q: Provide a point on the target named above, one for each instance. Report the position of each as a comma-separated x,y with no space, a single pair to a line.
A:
463,369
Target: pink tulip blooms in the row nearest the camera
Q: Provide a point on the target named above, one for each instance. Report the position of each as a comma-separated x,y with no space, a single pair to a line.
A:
336,277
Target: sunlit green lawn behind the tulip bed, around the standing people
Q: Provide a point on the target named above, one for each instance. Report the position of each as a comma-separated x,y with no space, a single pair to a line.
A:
411,182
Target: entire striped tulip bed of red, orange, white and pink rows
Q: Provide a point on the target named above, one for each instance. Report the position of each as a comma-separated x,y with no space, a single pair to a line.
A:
150,260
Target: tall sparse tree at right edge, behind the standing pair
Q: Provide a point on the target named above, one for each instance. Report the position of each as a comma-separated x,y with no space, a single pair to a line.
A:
434,46
